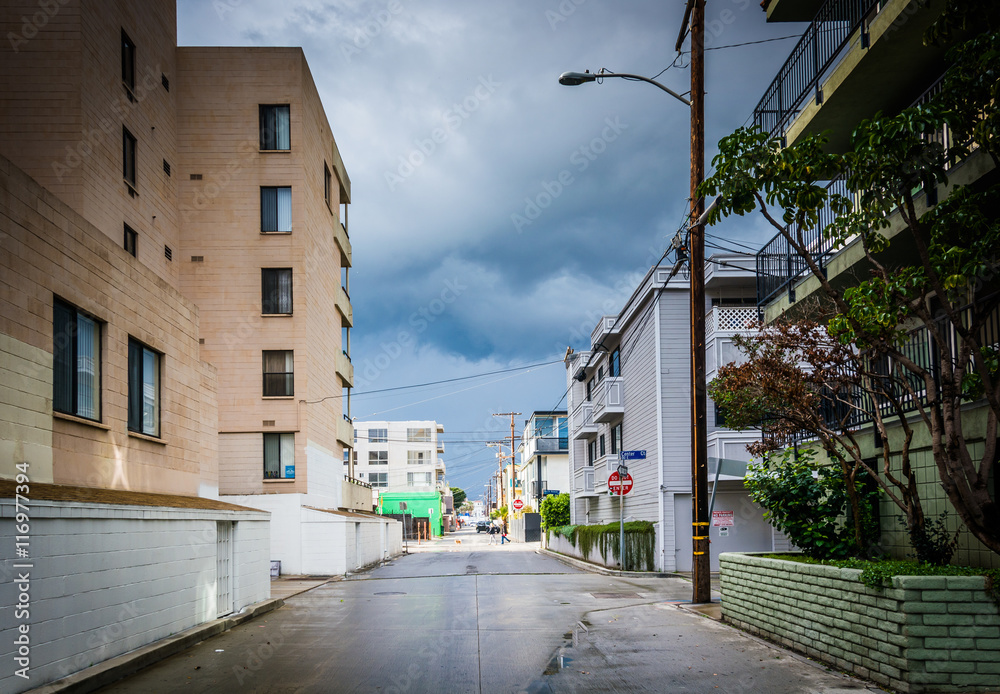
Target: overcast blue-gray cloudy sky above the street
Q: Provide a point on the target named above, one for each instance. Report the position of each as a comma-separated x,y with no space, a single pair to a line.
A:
497,214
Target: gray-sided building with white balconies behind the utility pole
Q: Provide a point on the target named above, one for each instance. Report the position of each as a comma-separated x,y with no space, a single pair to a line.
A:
631,391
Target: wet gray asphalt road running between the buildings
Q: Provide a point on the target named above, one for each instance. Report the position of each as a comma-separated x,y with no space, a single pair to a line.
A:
472,617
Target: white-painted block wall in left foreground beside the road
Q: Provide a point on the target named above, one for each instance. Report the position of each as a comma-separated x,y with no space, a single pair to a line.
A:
107,579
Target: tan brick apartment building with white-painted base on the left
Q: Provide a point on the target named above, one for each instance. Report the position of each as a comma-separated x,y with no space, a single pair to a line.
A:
174,320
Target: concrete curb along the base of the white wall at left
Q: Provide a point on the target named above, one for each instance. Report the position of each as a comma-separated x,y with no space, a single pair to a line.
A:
122,666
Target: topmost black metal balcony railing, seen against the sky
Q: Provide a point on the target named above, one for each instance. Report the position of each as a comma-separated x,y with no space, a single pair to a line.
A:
812,57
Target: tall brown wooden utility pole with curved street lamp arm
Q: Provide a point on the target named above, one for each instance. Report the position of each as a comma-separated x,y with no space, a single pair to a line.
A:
702,587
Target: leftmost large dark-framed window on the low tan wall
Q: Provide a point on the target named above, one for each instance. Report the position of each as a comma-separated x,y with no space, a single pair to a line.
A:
76,362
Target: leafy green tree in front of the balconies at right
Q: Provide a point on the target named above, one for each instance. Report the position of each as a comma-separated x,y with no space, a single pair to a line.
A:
912,340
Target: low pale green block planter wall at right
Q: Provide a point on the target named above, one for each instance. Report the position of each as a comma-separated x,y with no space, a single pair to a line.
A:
922,634
